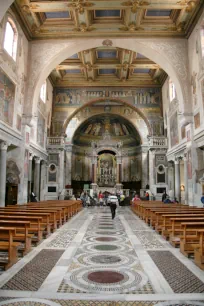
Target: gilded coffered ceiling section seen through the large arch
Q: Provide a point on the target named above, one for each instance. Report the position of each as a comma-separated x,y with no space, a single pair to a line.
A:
107,66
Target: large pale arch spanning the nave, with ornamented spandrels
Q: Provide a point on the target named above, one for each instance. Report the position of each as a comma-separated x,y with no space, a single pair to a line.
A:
170,54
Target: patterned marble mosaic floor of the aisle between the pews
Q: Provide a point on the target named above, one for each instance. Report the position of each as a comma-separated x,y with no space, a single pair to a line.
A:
94,260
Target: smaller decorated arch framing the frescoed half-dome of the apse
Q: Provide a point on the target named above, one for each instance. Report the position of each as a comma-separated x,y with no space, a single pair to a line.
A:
143,136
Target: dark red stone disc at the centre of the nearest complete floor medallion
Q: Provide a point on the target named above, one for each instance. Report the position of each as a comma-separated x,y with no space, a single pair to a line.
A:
105,277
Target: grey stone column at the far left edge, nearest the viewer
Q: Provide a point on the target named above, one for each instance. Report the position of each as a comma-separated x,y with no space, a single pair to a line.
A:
3,153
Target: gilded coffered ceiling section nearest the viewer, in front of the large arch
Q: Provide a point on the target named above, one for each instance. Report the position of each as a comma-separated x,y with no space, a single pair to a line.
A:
46,19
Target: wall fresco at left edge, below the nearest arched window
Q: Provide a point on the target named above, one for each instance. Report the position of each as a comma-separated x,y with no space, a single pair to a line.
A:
7,97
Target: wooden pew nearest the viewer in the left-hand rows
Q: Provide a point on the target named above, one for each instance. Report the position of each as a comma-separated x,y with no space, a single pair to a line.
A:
9,246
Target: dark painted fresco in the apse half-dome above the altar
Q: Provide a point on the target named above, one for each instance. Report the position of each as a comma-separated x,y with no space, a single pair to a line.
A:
96,127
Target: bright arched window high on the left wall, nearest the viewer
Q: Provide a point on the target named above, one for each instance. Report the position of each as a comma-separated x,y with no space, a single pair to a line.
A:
11,38
